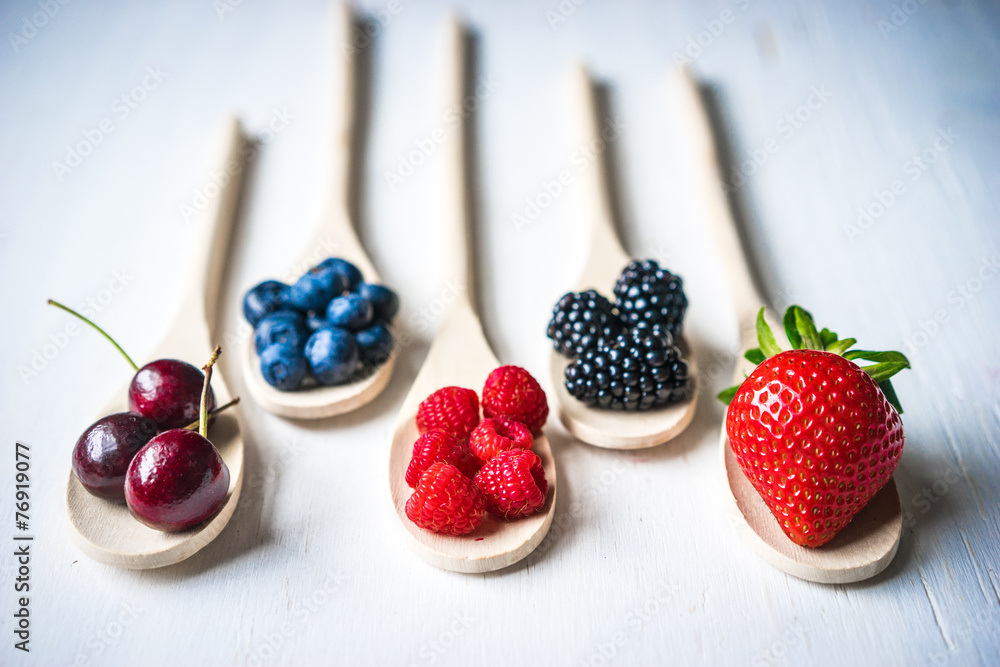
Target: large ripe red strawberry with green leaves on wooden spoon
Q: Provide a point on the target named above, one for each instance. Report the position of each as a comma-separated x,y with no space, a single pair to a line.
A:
816,435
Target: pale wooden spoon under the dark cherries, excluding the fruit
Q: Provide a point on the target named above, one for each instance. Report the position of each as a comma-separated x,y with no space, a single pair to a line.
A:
106,531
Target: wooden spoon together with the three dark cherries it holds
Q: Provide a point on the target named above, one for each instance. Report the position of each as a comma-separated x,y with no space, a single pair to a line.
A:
146,490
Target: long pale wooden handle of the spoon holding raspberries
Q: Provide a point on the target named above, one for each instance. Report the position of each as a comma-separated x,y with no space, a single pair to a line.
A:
456,204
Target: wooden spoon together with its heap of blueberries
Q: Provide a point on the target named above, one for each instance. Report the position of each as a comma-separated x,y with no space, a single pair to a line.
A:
324,346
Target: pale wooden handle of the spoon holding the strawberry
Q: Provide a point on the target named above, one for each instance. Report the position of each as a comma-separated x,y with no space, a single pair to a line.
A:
707,176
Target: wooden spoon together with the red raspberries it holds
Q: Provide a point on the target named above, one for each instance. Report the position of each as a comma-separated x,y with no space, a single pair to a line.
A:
471,495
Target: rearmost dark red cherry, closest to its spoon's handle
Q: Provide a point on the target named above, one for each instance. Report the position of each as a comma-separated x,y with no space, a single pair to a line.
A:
168,391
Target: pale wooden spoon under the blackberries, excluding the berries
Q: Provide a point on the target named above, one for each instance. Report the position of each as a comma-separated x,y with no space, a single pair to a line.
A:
605,261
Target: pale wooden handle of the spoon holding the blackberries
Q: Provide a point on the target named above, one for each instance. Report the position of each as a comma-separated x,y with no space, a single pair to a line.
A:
605,255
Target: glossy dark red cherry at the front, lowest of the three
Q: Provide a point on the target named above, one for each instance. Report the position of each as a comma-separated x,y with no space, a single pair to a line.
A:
176,481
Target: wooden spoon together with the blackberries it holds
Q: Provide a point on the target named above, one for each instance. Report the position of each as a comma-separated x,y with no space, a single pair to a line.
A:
622,373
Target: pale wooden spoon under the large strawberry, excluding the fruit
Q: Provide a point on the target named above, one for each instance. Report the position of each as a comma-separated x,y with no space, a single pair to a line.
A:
866,546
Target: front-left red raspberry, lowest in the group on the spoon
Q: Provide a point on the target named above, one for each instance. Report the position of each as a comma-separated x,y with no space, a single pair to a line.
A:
446,501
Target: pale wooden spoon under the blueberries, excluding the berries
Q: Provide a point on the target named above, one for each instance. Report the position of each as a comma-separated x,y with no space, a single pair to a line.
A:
335,236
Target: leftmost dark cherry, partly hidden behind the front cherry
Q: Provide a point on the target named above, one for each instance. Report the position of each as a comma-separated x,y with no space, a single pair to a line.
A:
102,454
